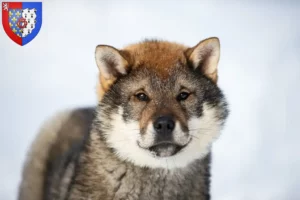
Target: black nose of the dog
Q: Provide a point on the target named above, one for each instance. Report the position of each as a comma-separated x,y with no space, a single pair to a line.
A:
164,125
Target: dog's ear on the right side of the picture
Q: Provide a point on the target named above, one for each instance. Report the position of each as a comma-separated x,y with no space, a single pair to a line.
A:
205,57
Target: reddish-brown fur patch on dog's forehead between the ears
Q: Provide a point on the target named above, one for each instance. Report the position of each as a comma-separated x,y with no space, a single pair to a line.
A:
161,57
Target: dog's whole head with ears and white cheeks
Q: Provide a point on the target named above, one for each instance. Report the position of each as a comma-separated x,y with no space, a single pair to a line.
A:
160,105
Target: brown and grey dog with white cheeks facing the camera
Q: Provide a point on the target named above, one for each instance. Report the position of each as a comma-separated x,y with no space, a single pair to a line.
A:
150,136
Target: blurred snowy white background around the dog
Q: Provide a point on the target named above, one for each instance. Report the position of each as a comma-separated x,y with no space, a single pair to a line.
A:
257,156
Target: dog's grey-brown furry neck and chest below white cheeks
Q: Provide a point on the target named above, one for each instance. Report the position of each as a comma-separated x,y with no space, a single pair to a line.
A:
101,169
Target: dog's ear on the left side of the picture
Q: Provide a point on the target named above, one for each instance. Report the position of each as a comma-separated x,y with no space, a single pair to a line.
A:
111,64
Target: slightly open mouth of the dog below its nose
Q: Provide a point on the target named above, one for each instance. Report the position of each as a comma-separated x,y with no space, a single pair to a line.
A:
165,149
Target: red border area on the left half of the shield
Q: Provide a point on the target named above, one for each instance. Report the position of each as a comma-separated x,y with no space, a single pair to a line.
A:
5,21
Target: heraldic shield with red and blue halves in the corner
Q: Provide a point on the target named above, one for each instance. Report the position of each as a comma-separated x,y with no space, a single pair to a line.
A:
22,21
